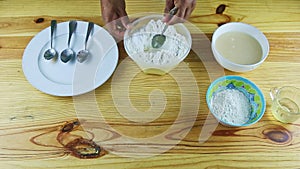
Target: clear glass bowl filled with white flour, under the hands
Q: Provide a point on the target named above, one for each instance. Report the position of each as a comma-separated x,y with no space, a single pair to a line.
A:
137,44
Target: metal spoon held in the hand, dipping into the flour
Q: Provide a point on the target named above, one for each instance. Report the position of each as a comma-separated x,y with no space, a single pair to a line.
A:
159,39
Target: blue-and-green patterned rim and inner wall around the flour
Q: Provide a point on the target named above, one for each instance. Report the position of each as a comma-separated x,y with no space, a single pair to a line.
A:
248,88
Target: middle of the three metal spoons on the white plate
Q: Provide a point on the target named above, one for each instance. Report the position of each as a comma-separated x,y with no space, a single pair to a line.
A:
68,53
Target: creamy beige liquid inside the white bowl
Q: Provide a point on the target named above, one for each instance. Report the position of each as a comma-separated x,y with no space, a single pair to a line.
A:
239,48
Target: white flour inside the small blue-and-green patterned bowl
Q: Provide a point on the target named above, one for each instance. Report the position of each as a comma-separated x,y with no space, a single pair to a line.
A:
231,106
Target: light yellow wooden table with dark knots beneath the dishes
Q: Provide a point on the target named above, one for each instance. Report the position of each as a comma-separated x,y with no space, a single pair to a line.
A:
35,127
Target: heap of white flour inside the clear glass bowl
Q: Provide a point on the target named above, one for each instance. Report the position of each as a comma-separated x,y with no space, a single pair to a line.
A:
174,47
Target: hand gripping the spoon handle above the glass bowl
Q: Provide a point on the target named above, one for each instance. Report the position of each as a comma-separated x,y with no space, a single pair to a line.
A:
185,9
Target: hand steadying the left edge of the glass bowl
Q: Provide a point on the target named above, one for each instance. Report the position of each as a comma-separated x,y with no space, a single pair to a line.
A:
115,17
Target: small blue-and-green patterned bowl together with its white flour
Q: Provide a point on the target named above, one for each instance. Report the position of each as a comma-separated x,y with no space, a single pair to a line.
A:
235,101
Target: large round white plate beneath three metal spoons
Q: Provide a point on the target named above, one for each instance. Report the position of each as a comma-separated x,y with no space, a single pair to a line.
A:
72,78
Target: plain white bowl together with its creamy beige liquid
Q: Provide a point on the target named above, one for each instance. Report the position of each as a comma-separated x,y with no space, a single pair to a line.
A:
239,47
